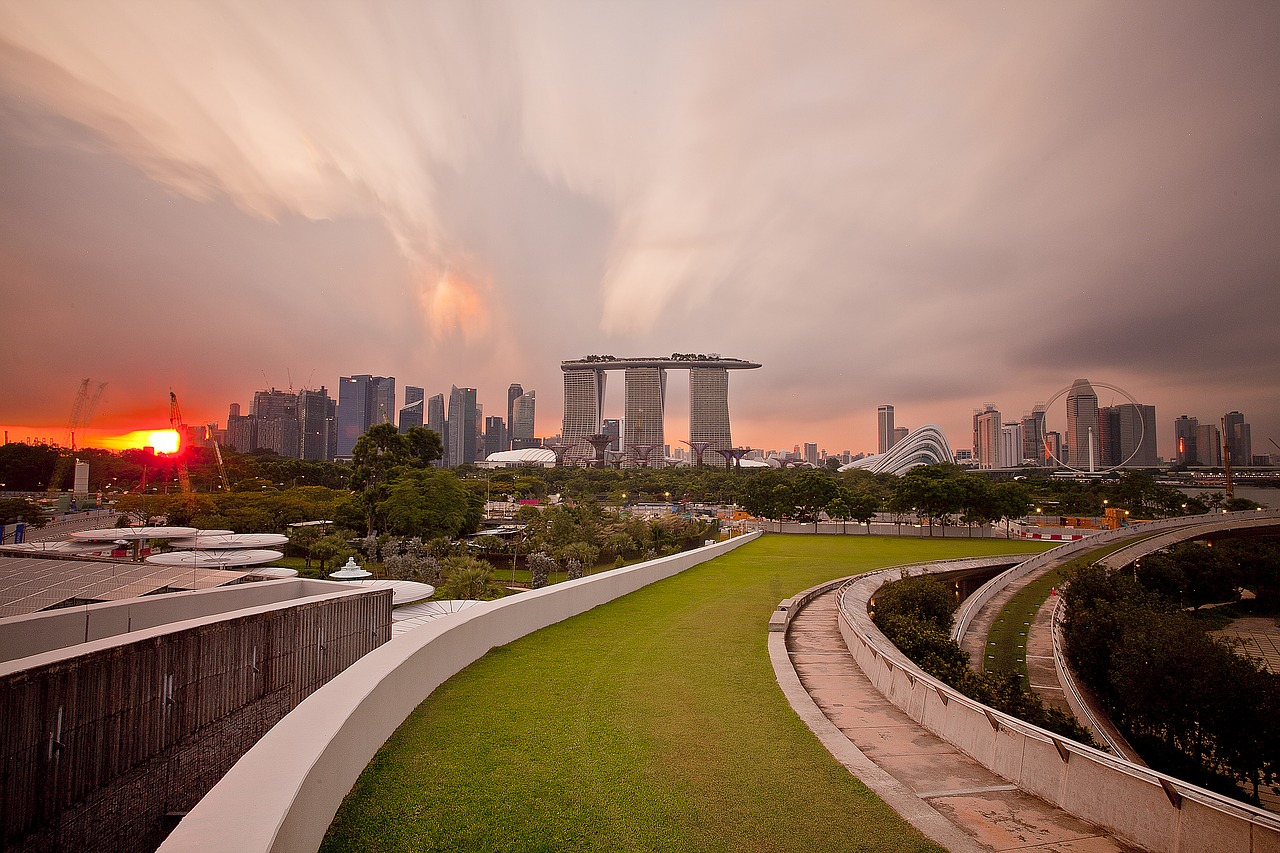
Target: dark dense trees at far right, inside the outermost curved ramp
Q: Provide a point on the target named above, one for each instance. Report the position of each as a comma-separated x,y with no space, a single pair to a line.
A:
1190,704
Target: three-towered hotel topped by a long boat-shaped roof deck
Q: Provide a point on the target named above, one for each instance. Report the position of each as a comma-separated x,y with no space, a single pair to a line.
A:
644,382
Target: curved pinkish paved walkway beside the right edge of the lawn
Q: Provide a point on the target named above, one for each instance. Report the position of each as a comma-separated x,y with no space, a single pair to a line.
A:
922,777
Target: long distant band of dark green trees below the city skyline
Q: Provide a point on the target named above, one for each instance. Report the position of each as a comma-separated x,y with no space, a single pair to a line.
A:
930,495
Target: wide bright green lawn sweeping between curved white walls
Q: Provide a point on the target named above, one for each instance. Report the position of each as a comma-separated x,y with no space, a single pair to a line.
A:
652,723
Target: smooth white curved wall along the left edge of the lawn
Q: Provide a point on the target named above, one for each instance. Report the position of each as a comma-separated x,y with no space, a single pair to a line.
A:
286,791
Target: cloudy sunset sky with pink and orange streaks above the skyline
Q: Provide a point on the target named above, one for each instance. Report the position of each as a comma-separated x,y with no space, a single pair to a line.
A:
934,206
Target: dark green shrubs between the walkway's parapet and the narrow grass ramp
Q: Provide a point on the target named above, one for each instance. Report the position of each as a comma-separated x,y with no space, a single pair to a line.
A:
916,615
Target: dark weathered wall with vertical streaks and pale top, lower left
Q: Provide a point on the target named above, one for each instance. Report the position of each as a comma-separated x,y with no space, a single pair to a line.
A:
103,740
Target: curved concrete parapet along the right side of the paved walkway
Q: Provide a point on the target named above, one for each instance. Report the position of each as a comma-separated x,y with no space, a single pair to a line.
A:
1150,810
